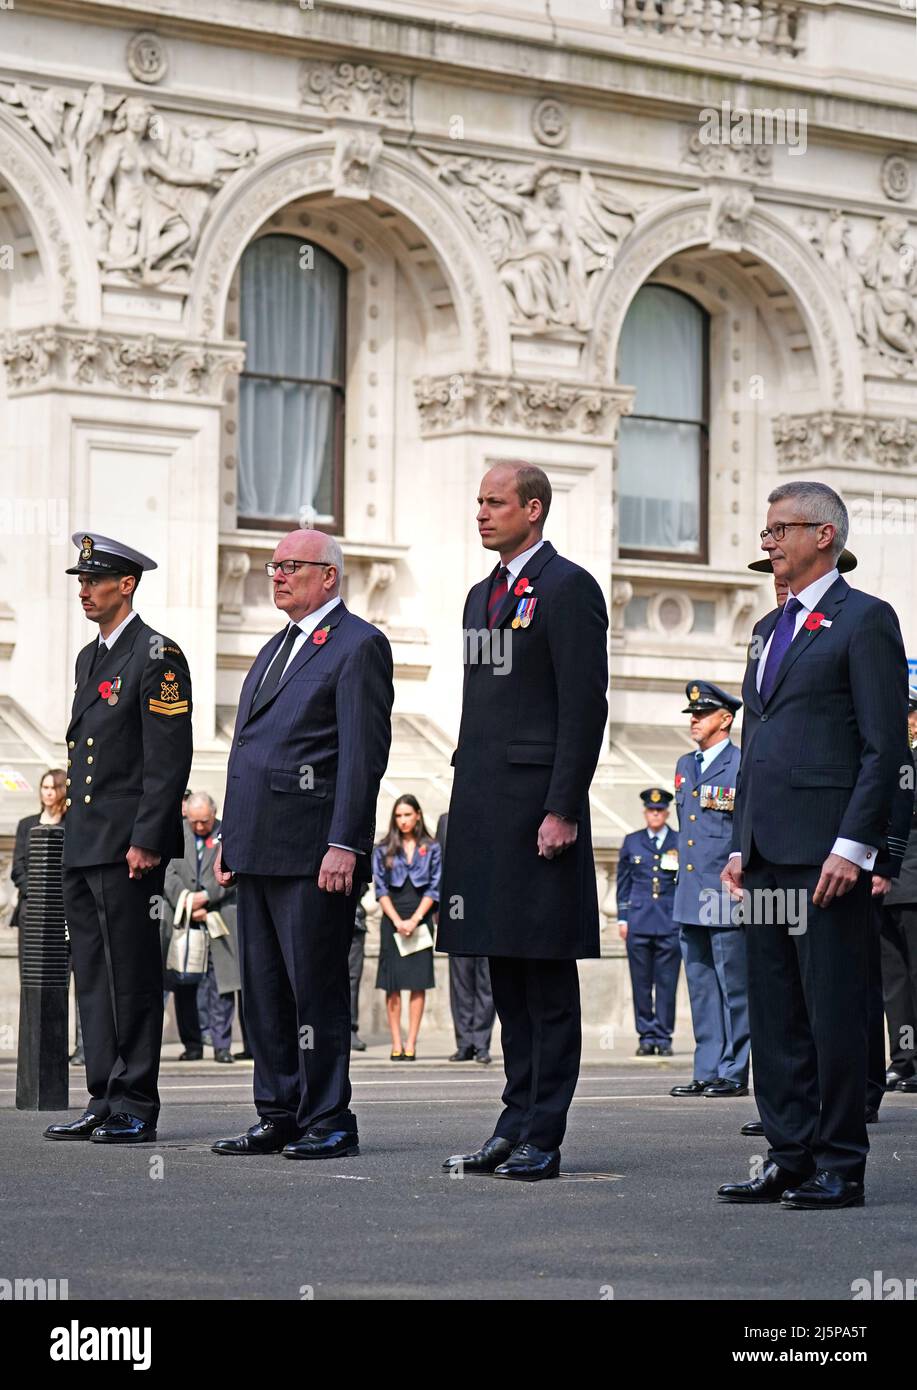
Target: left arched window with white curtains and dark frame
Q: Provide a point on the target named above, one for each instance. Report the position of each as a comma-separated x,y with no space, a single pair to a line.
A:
292,300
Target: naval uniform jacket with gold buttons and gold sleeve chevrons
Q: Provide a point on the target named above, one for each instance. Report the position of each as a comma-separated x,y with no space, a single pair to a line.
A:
129,764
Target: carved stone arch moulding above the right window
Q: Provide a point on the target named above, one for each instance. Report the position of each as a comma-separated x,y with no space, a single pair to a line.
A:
697,220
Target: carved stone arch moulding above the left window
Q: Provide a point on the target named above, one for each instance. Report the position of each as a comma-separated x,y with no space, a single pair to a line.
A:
247,204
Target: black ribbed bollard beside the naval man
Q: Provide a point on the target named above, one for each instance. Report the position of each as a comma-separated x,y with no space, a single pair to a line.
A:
42,1078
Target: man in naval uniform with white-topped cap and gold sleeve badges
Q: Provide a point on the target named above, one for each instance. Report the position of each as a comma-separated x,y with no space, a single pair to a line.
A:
129,758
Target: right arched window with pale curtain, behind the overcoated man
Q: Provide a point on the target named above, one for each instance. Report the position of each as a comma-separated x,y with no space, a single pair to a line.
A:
663,445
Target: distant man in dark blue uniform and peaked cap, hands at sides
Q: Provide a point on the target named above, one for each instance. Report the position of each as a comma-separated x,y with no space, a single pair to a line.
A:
647,896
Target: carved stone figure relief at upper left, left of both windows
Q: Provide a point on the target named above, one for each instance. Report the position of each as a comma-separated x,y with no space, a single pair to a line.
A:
144,181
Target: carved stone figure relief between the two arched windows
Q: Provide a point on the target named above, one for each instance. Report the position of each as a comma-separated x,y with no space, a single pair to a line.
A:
548,234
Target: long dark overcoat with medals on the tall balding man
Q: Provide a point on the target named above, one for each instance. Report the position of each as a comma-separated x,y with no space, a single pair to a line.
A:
533,728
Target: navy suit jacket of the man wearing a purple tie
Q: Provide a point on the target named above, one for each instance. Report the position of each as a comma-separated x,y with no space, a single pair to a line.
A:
823,758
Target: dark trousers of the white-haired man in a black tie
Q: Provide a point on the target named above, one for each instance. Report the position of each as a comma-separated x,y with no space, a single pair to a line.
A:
294,946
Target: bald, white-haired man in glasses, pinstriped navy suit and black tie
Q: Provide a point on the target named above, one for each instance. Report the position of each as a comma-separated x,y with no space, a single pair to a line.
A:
311,747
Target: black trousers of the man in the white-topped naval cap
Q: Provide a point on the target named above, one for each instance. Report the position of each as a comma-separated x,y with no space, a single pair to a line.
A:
115,940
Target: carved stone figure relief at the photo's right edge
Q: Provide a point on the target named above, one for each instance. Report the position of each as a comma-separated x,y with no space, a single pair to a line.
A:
879,286
